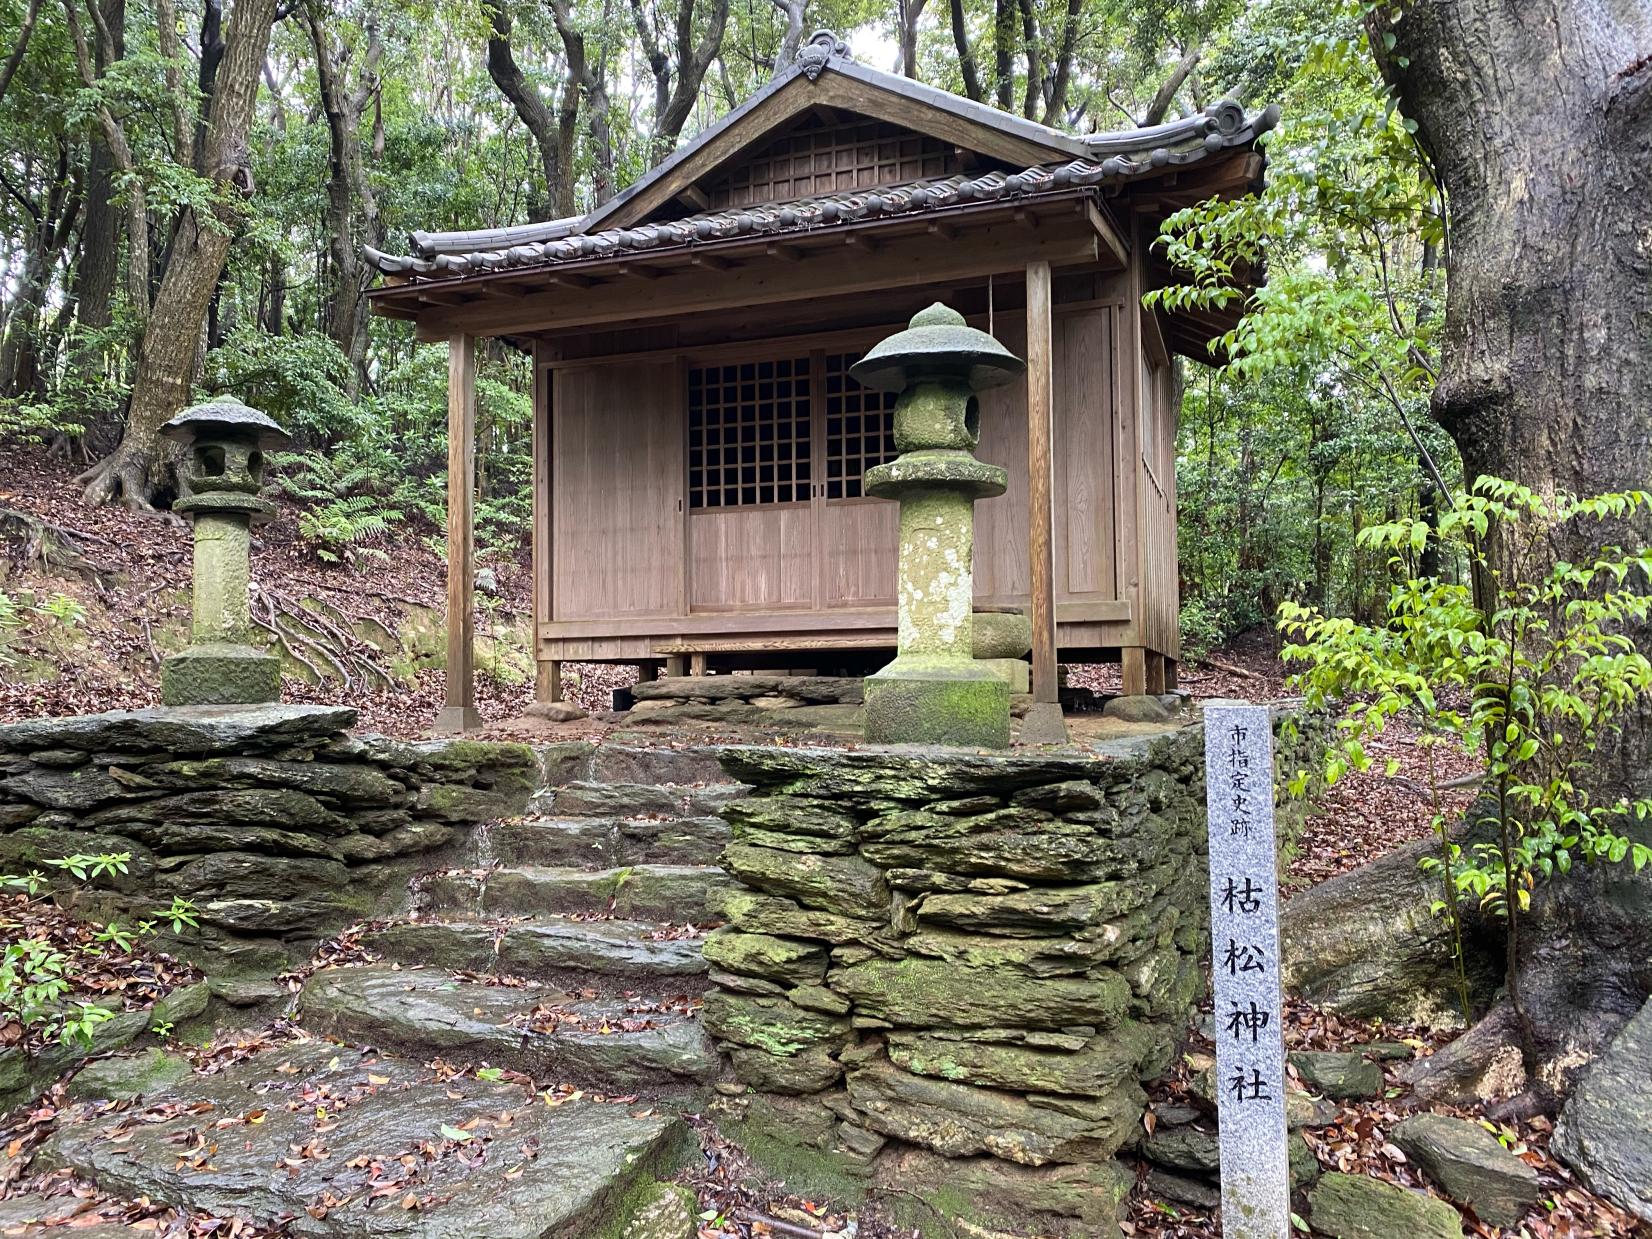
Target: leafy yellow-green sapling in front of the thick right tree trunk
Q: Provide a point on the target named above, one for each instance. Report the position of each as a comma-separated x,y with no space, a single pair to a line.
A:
1534,678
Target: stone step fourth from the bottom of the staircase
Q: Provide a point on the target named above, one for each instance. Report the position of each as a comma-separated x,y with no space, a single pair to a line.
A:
668,893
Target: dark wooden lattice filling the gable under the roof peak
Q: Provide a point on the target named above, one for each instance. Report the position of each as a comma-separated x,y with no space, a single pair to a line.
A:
835,159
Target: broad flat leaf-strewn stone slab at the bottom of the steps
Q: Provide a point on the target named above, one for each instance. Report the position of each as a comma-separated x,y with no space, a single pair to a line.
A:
311,1139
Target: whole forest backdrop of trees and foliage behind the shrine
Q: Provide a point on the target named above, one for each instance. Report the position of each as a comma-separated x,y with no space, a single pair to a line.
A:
189,188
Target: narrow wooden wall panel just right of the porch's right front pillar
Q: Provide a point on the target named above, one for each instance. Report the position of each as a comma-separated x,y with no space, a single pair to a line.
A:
1085,455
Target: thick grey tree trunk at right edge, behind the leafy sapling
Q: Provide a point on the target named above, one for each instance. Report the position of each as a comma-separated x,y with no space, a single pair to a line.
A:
1539,121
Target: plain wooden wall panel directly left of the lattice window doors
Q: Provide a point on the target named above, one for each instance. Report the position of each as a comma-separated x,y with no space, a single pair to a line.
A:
617,491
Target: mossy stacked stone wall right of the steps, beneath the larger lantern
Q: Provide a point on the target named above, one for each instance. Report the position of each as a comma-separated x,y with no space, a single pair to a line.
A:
947,971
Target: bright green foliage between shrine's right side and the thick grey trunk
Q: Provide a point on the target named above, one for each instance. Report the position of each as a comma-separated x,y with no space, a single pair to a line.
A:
1319,427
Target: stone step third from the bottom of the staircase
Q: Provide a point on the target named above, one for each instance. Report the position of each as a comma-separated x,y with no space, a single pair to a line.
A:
581,952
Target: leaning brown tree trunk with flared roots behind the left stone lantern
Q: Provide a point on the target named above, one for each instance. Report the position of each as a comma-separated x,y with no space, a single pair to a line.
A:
138,470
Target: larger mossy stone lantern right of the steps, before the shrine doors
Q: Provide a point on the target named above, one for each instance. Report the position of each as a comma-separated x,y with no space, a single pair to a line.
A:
936,691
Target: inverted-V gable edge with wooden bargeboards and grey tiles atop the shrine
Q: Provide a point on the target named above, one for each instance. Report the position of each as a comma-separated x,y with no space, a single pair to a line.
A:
838,87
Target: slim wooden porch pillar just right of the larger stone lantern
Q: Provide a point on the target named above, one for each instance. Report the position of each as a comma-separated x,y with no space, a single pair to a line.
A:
1042,516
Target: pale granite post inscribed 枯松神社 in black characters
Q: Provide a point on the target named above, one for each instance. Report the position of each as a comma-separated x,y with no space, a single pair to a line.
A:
1245,957
